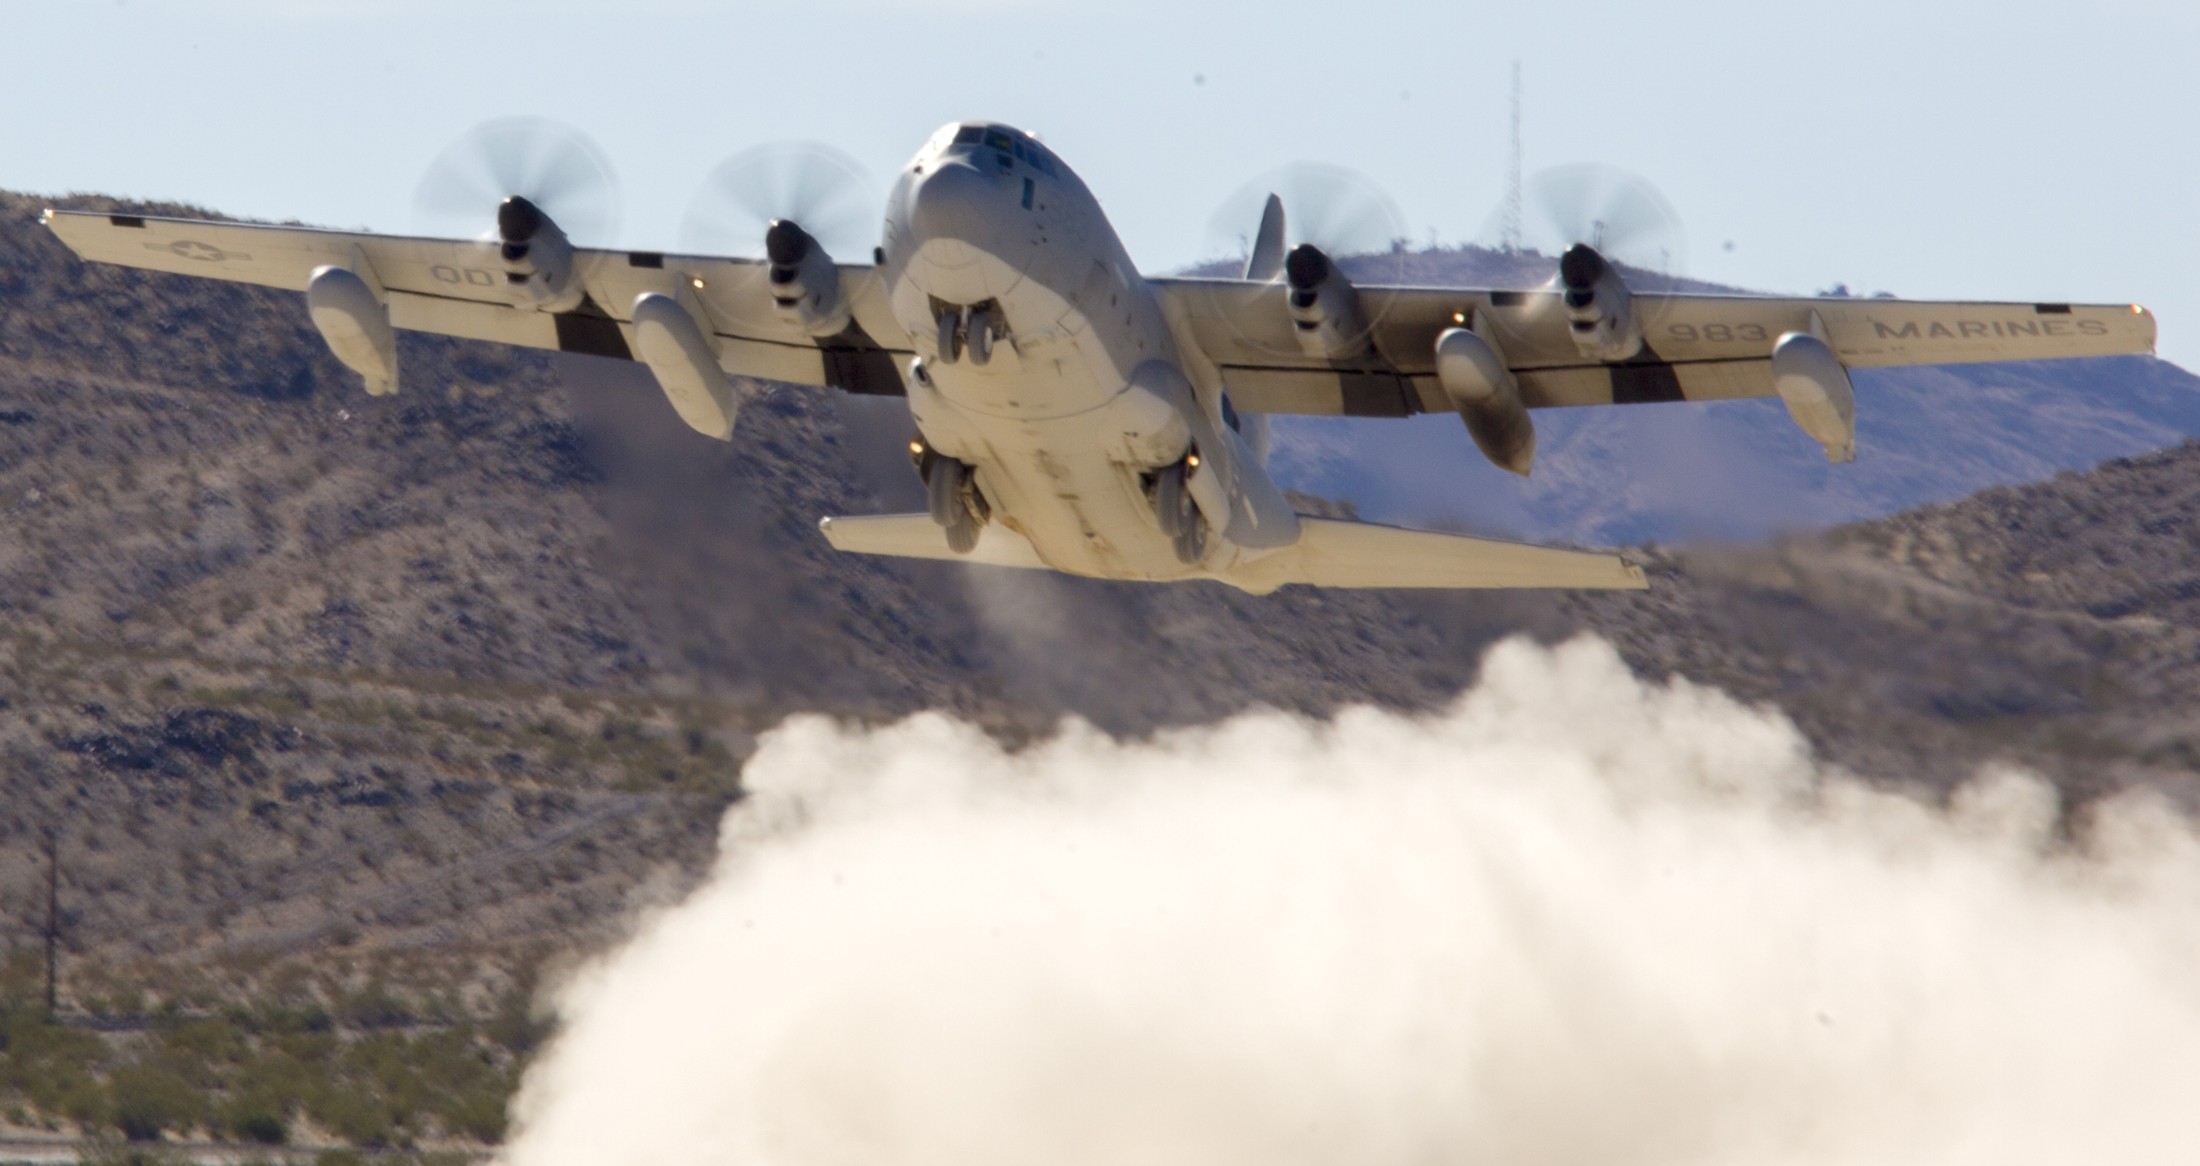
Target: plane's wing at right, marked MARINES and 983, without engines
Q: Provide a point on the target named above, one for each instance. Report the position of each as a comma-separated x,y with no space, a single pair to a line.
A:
1697,346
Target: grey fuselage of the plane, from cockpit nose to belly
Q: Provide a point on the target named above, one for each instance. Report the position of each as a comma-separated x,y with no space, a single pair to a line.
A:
1086,393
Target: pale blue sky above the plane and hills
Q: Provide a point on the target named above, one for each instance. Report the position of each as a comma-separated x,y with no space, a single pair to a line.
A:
2007,151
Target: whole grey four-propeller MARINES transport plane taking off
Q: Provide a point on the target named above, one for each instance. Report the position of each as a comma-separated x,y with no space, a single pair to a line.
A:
1081,417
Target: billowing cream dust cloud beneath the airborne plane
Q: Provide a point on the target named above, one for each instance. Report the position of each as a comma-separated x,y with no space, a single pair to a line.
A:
1574,918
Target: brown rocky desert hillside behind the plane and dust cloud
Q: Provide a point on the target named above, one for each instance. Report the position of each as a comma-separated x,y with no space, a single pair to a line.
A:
432,687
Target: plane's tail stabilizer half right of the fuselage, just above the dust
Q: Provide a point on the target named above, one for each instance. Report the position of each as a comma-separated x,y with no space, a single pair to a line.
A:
1365,555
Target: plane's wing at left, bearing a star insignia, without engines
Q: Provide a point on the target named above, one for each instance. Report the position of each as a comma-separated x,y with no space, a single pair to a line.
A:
459,289
